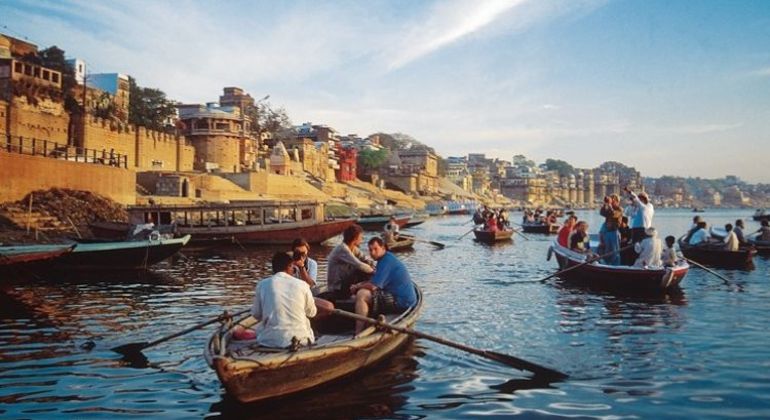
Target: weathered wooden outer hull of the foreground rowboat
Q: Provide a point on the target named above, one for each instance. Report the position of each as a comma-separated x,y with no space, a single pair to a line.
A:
288,372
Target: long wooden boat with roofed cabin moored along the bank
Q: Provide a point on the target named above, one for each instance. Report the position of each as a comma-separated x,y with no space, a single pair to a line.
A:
258,223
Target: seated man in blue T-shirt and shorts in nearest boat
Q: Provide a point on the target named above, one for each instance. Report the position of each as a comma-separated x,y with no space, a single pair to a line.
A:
391,289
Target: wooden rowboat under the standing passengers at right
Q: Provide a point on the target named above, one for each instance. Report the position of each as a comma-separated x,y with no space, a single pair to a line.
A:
621,277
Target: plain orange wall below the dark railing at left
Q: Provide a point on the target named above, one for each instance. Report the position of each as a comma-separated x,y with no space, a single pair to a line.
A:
22,174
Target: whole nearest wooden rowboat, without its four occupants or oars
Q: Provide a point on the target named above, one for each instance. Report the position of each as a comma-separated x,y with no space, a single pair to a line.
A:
252,373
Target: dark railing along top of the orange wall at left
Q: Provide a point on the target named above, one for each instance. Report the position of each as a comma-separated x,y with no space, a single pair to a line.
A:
51,149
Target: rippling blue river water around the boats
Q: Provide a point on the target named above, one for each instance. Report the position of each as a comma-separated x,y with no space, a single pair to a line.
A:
700,352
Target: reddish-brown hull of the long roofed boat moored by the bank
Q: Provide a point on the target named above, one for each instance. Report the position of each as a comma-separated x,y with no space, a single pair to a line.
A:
268,234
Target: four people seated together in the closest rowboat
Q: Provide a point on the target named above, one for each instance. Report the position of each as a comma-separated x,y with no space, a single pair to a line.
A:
378,283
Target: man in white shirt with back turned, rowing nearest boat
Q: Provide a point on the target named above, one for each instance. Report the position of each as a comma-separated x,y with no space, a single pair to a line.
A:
283,305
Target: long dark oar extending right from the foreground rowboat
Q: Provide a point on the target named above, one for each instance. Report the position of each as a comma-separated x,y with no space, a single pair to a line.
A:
498,357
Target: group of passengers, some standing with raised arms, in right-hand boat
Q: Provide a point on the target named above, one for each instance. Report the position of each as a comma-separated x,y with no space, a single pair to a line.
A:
626,237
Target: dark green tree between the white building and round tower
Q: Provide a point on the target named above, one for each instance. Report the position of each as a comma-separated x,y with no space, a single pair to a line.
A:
148,107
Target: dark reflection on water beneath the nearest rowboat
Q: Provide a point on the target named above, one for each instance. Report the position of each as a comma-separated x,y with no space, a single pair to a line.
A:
376,392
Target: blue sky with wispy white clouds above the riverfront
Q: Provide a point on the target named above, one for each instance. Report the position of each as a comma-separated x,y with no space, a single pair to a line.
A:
674,87
